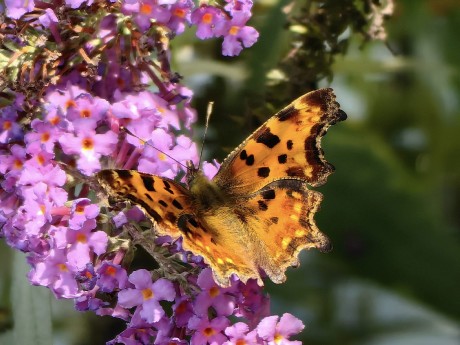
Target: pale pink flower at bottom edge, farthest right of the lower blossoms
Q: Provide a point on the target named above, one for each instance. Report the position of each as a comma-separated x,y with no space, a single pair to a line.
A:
278,333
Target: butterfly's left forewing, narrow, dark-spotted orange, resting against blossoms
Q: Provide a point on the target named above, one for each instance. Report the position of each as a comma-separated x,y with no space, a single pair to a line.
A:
163,200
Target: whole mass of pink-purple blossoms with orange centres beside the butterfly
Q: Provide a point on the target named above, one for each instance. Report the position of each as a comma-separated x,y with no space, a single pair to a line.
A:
48,207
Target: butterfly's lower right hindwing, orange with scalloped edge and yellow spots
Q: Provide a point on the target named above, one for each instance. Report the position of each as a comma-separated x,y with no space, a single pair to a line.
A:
280,216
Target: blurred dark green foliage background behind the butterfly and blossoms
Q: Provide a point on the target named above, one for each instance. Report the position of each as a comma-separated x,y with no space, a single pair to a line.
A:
391,208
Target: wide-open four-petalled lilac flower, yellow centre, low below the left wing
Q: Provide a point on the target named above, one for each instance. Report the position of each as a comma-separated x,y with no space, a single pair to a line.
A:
146,295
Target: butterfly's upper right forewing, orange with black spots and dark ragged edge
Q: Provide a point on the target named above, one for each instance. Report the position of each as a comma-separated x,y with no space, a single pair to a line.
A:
287,145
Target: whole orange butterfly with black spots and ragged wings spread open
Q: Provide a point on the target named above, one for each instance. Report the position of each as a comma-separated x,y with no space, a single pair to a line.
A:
256,214
